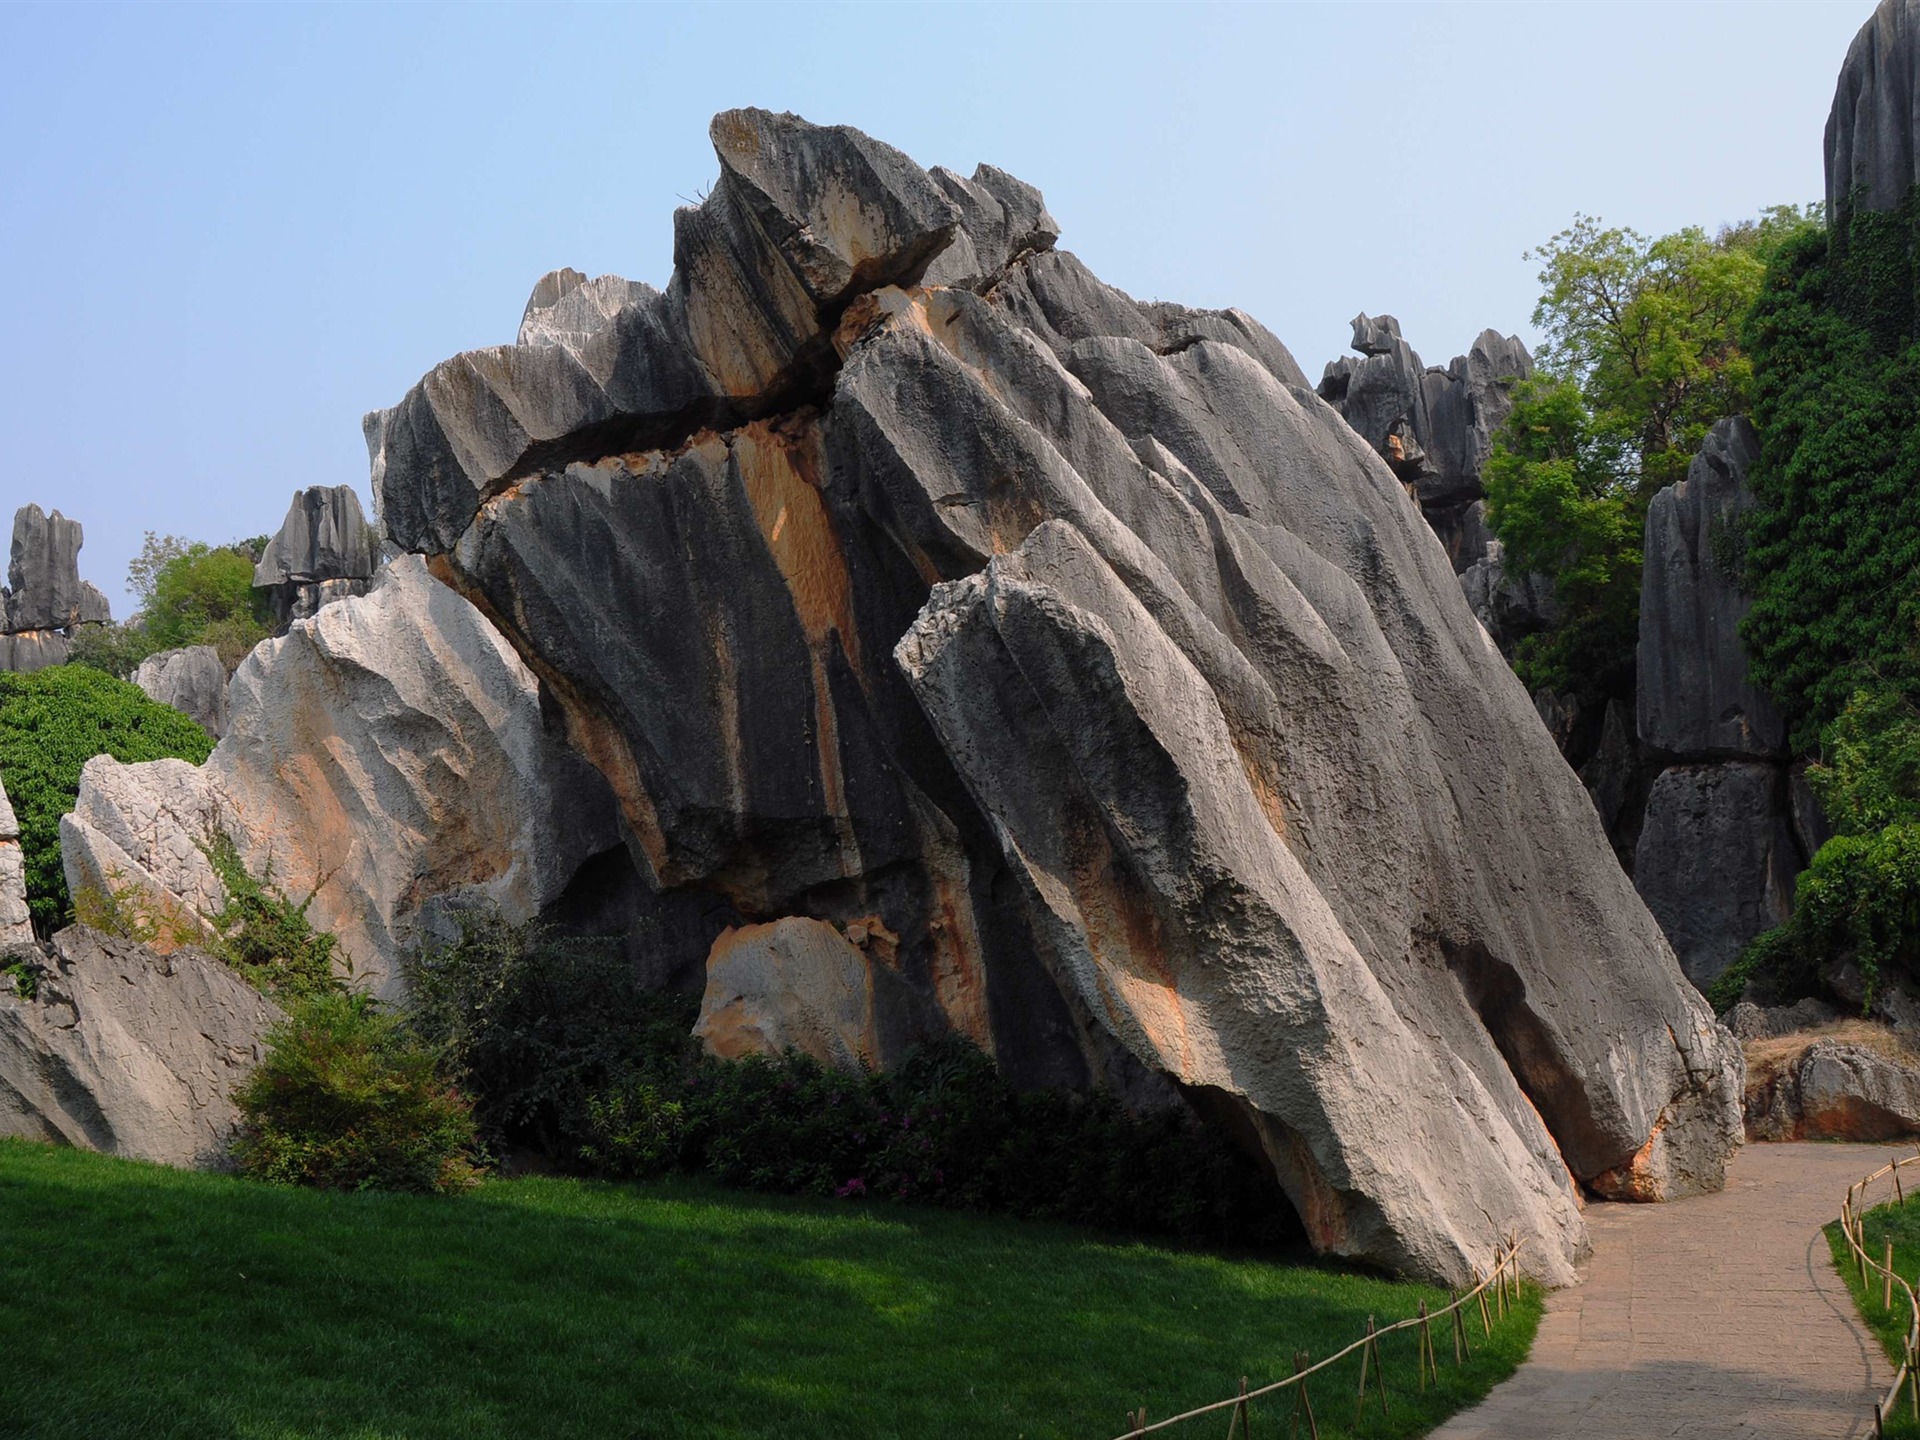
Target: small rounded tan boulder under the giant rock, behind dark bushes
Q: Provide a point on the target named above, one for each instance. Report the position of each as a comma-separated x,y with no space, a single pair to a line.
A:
802,984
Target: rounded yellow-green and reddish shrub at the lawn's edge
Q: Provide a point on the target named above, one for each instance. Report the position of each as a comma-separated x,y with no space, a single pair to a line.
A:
348,1099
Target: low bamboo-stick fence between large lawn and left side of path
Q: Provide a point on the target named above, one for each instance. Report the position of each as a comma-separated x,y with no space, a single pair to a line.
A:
1489,1299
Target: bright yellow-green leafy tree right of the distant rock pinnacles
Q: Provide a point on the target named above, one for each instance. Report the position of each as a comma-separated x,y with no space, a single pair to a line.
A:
1643,356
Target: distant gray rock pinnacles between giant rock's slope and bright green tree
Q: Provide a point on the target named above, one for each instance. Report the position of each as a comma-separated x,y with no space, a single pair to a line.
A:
1435,429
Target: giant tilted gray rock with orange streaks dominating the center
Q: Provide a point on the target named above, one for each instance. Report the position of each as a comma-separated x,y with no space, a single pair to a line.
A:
1082,658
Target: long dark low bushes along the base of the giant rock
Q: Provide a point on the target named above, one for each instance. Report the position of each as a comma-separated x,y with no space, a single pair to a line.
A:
564,1051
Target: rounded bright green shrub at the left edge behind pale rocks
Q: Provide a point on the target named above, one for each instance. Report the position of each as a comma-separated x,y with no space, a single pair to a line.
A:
51,725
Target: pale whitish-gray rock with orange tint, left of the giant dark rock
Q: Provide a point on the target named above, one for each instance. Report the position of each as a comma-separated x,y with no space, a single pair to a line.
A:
389,756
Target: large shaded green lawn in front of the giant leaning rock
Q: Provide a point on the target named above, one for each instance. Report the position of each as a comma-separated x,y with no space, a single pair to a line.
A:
151,1303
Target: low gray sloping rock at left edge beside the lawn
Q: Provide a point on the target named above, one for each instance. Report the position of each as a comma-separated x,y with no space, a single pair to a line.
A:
128,1051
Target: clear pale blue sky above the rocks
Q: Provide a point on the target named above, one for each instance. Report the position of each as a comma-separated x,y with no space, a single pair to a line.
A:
229,231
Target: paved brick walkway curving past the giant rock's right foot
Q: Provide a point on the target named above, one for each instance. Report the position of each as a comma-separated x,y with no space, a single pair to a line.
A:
1704,1318
